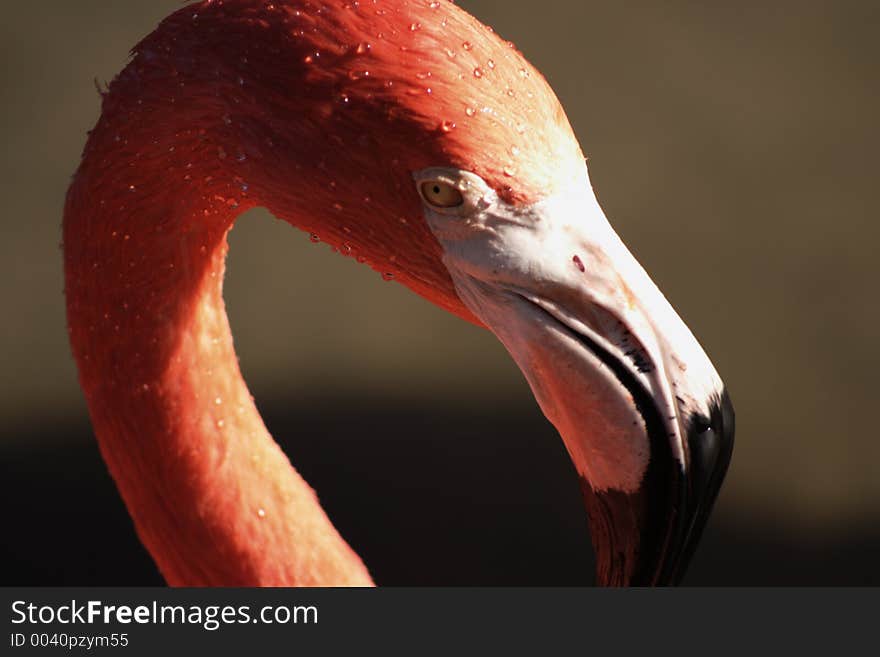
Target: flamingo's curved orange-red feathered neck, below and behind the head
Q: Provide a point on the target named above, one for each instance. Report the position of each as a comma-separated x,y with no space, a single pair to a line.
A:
213,497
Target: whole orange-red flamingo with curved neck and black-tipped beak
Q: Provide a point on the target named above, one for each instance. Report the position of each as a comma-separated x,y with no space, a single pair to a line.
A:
410,136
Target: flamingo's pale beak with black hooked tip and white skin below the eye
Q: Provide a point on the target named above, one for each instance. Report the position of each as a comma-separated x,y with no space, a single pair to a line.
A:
643,414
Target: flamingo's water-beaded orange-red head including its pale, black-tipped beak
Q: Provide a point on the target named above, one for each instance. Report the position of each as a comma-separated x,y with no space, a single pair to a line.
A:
413,137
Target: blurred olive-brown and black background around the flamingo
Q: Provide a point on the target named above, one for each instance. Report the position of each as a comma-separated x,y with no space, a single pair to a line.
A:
734,146
